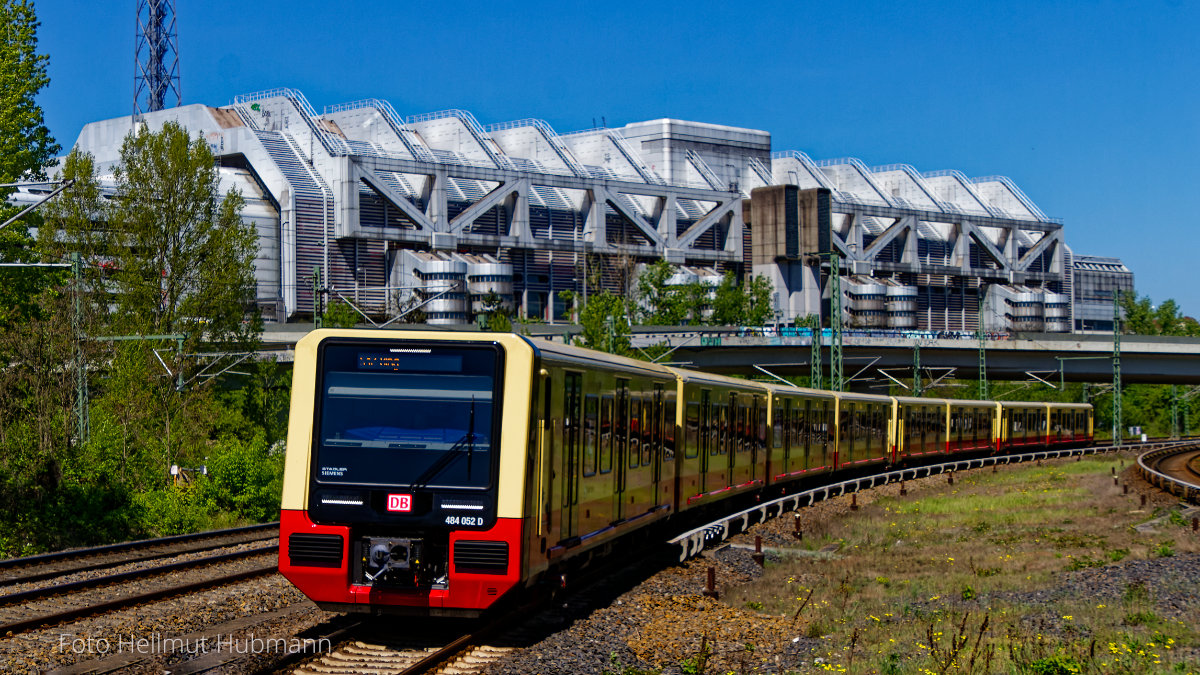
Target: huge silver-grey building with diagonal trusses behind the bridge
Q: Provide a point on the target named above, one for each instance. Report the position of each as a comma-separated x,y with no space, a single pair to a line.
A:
391,212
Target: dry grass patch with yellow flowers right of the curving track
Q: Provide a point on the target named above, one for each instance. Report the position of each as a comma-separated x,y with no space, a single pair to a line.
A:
946,580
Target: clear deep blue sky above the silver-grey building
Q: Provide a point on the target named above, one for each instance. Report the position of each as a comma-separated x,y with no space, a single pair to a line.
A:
1090,107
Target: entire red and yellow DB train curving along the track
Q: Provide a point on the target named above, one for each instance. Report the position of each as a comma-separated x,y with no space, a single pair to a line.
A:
435,473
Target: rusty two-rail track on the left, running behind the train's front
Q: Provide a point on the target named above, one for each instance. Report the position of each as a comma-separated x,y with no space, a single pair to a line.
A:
44,606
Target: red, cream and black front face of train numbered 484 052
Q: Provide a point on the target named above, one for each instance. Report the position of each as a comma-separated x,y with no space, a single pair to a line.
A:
403,488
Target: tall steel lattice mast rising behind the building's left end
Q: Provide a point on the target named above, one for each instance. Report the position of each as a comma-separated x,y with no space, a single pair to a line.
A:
155,58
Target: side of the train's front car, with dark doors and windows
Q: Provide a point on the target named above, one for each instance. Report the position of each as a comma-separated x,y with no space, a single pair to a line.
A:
610,463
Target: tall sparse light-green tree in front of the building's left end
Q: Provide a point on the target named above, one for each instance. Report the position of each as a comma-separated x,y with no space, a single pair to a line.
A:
184,259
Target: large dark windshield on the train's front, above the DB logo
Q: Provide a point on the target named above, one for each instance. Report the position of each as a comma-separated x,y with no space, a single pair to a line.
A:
407,417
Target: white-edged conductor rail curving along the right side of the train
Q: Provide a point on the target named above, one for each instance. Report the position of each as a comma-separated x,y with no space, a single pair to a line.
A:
694,541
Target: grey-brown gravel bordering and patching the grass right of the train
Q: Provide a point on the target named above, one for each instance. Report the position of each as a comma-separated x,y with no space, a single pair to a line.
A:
662,624
